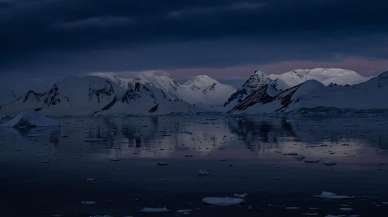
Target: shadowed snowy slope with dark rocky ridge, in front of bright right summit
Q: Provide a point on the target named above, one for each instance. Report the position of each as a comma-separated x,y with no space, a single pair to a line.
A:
313,94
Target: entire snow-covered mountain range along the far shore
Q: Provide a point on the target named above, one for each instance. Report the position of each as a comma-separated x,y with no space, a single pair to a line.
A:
152,93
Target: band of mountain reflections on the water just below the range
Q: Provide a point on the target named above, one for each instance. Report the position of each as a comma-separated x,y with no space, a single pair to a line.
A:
207,137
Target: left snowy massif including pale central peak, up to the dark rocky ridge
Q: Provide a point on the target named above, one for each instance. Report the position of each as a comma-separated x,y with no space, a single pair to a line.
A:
108,93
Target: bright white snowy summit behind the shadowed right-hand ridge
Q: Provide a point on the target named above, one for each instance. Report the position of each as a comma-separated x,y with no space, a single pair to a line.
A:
326,76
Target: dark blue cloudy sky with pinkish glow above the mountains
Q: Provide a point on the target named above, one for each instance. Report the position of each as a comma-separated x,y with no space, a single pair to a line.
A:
223,38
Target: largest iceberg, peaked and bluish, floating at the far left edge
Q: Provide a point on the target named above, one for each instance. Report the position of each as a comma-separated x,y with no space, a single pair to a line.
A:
30,119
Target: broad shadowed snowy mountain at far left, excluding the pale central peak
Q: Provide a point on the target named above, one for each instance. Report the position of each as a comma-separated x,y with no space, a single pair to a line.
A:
98,95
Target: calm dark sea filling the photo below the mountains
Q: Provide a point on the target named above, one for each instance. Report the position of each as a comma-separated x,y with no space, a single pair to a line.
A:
119,166
